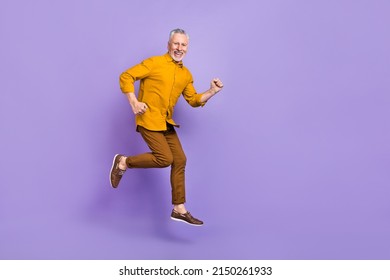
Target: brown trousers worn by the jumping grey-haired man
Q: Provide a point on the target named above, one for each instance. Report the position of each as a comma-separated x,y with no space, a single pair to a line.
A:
166,150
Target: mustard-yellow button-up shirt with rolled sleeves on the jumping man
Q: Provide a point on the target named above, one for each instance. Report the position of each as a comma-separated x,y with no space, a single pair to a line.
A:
162,81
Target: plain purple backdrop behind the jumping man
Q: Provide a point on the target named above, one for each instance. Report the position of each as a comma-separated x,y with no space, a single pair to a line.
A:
290,161
